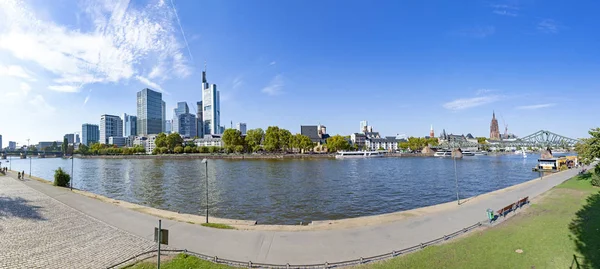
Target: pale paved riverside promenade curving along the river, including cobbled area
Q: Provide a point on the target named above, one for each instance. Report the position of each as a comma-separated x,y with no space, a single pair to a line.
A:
279,247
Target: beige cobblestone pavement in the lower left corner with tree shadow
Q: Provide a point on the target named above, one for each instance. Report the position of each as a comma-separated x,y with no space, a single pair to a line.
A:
37,231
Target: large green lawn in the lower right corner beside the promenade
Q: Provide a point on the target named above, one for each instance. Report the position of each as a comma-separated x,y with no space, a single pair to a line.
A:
563,228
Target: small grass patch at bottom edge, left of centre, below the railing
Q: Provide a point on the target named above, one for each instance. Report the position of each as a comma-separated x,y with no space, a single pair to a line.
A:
181,261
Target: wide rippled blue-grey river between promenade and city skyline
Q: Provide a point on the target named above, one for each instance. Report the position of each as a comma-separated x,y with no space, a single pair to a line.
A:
290,191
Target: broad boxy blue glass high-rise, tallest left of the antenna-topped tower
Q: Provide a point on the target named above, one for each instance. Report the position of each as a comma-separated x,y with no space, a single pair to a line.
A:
149,112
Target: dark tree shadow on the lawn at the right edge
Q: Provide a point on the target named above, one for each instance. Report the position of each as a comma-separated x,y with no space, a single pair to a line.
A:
584,229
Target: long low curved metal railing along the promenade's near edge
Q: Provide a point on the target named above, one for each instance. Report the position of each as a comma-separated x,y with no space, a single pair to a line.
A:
325,265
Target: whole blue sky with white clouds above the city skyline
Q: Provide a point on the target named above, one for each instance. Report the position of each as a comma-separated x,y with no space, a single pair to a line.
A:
401,65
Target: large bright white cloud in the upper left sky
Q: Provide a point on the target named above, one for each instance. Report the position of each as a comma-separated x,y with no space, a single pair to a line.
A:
121,41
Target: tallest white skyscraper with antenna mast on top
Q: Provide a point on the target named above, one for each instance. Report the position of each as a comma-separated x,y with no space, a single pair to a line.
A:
211,111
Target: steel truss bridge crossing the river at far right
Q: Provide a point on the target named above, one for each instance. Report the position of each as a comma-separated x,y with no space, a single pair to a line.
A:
539,139
